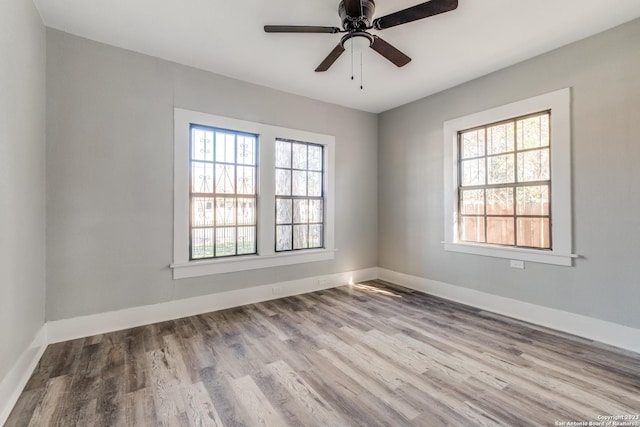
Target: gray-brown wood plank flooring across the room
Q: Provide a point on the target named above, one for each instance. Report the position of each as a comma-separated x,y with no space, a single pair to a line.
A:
371,354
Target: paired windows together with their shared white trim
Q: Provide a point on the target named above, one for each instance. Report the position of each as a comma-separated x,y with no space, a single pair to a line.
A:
249,195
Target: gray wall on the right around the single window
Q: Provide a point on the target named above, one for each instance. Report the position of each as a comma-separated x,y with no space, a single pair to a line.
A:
603,72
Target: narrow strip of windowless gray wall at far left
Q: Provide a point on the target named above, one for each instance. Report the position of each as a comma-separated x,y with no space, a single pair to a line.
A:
22,187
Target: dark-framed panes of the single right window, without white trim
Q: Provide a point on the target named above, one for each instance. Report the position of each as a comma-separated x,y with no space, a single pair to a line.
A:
504,183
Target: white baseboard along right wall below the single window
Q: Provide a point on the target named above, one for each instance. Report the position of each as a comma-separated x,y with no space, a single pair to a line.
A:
610,333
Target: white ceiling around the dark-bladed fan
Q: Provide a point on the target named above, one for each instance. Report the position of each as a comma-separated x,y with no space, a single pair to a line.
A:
227,37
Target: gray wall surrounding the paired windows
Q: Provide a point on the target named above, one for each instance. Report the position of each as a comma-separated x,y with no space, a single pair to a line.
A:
110,175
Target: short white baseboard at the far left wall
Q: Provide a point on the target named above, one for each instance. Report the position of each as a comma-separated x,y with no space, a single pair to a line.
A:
13,383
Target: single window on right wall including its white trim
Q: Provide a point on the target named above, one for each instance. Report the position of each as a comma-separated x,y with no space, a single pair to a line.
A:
507,181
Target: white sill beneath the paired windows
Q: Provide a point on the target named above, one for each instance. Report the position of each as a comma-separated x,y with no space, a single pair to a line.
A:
248,262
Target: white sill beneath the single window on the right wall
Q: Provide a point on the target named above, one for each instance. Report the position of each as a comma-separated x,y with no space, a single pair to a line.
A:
520,254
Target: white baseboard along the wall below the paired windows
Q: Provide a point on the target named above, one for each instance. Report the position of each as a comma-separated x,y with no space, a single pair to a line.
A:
78,327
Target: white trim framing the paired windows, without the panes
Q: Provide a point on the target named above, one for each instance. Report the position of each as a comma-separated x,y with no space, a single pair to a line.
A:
266,256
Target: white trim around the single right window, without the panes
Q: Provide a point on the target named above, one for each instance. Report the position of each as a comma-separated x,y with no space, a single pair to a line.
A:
559,102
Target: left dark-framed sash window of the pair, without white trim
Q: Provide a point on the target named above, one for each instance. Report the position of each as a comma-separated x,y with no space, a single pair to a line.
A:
223,192
